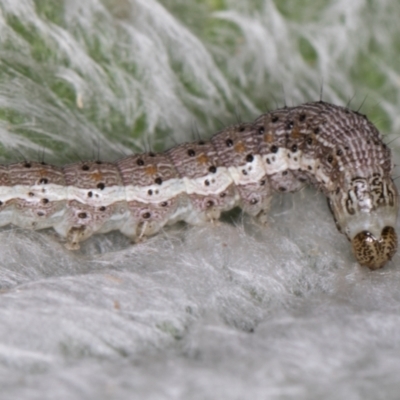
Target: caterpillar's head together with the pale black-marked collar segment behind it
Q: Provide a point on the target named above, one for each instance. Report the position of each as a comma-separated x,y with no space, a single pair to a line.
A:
366,212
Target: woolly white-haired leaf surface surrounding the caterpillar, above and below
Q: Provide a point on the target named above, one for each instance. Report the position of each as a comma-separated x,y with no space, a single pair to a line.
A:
231,311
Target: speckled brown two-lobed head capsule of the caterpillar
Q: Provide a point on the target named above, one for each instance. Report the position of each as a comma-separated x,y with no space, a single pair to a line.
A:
375,251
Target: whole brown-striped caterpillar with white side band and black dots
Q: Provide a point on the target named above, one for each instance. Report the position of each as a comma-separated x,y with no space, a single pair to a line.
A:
336,150
